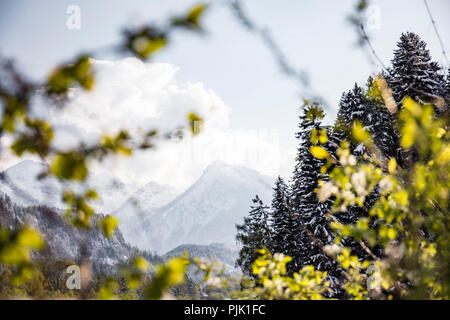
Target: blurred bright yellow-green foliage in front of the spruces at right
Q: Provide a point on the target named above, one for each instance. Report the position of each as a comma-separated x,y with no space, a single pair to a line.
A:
410,219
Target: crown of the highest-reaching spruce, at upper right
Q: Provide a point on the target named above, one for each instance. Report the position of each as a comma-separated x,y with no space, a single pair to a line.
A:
413,73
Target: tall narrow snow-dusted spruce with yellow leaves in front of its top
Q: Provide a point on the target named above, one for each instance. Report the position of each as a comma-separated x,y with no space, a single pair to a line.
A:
314,230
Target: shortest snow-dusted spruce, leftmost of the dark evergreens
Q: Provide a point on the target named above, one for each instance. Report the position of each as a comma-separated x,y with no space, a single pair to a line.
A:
253,234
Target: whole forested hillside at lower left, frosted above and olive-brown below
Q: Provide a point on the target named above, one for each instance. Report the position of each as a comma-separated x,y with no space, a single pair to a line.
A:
64,247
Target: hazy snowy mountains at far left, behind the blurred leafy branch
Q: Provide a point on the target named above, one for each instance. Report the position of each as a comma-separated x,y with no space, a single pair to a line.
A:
20,182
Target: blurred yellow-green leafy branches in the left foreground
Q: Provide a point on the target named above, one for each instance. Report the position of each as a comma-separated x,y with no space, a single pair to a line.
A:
35,136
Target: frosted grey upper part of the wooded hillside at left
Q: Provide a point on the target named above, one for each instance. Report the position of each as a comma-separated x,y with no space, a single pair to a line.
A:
63,241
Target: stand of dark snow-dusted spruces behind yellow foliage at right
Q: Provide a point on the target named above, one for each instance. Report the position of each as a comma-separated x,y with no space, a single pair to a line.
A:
300,222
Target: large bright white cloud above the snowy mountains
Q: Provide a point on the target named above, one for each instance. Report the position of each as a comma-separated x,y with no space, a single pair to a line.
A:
132,94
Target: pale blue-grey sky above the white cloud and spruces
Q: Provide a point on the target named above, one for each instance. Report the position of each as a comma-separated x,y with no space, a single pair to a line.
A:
229,60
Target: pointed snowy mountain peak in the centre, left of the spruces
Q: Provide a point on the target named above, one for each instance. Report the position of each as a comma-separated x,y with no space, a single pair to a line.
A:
205,213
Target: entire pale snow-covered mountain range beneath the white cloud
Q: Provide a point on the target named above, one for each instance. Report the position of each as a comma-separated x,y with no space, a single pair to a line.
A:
156,217
